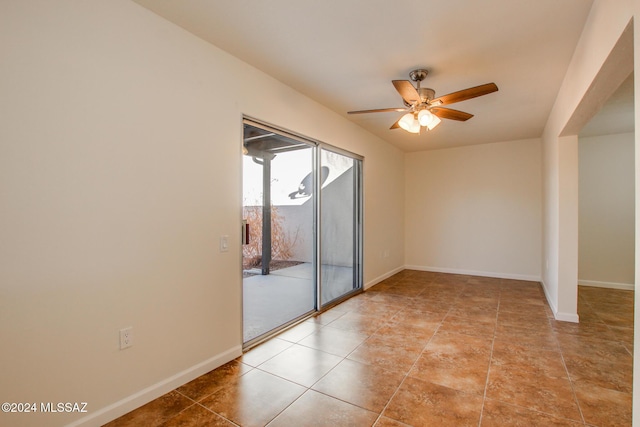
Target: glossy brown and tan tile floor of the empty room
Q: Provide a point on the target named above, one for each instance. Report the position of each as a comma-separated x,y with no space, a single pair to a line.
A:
425,349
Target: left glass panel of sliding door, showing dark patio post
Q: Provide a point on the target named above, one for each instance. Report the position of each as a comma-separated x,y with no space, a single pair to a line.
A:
279,274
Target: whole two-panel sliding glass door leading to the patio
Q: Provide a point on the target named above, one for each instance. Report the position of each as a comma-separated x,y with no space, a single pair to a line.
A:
301,210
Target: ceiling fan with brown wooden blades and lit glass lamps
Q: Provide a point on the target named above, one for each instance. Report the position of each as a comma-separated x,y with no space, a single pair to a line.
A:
423,108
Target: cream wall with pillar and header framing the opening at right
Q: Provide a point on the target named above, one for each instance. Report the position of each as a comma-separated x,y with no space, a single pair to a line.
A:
601,61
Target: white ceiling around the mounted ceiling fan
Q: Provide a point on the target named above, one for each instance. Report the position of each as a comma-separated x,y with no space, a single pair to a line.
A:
345,54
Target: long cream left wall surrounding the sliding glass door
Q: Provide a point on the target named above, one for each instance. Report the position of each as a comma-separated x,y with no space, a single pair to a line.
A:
120,168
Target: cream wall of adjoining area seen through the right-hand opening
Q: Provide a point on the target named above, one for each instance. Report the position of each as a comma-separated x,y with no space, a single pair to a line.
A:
607,211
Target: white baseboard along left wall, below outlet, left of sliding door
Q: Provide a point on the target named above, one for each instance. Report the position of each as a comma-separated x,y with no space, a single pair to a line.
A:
129,403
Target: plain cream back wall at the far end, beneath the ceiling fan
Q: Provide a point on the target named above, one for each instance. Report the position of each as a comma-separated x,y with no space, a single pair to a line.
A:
475,209
